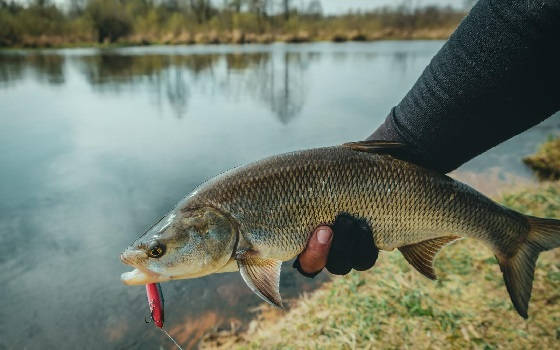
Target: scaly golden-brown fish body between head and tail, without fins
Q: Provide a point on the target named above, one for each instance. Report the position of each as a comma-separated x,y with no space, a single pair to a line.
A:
289,195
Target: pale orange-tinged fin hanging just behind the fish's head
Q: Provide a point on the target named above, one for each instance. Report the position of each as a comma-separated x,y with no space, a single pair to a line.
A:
262,276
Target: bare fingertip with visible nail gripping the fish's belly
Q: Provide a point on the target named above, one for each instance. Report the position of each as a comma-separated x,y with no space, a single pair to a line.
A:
314,257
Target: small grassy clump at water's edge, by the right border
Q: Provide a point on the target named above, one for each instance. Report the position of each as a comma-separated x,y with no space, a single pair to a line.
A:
546,162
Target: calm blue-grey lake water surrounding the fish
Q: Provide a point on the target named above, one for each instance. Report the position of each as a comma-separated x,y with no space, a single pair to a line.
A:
97,144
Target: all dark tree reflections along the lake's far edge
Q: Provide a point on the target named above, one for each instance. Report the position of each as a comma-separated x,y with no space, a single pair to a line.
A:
278,81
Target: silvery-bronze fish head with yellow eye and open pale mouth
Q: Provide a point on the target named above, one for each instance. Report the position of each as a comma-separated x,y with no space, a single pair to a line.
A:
187,243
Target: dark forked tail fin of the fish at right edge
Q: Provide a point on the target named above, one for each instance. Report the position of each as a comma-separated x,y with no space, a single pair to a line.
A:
519,269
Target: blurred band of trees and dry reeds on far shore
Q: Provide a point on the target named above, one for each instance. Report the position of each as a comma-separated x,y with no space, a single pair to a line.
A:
41,23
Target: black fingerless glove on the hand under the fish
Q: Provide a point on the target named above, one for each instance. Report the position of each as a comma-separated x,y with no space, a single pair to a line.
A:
352,247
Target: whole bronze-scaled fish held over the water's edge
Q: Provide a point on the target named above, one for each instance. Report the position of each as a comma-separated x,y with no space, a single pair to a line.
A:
252,218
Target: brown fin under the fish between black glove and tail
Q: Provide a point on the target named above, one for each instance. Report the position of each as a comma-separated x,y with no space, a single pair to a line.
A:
421,255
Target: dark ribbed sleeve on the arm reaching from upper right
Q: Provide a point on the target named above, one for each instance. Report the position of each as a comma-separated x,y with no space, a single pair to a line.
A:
497,75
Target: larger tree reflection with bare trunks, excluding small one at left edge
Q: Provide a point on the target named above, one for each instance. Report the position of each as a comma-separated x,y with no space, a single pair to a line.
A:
275,80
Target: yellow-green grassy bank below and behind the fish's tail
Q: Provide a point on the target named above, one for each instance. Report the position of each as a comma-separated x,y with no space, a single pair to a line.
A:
392,306
